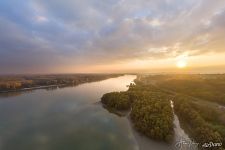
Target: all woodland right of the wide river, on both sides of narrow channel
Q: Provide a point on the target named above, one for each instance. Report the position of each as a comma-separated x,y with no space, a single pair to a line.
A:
198,102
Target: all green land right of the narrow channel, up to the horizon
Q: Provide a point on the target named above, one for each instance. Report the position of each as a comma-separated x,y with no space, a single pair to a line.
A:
197,103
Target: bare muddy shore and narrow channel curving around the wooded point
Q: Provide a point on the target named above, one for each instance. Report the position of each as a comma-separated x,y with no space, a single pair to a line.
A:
145,143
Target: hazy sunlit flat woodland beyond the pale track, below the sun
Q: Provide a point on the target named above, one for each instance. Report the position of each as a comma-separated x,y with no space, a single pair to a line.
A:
206,87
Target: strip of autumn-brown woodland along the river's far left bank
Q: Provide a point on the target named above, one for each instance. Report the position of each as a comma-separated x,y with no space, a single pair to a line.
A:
25,82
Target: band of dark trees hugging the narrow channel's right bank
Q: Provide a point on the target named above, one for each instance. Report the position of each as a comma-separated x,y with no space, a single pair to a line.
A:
200,129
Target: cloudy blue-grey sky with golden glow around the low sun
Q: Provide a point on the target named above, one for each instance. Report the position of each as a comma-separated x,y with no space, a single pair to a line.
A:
82,36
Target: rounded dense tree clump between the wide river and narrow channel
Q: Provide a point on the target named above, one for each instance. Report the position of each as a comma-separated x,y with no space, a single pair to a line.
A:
151,113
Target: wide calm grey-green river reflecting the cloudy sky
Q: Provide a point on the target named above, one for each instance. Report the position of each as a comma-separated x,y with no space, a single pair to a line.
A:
69,119
